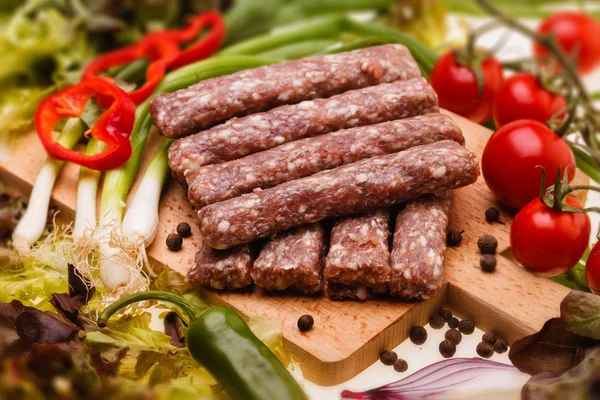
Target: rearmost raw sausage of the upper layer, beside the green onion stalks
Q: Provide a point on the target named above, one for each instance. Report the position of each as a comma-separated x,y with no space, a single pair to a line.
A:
215,100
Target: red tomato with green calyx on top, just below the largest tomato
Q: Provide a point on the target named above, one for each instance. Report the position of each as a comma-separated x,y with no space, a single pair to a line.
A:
549,242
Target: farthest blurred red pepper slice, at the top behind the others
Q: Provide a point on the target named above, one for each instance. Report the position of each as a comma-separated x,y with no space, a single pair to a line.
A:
204,47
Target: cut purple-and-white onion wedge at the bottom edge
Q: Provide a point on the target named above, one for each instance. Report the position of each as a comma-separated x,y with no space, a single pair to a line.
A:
454,378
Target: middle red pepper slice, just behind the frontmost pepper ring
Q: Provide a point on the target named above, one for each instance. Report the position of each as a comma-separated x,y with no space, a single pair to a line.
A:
159,51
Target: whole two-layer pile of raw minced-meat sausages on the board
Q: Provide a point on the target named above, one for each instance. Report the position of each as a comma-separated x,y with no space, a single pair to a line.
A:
350,155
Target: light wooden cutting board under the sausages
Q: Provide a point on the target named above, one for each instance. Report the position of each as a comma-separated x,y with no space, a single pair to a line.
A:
348,336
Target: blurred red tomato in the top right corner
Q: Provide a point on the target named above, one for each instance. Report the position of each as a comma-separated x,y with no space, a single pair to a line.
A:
575,32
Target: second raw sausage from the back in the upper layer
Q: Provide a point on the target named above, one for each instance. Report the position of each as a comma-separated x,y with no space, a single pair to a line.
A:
242,136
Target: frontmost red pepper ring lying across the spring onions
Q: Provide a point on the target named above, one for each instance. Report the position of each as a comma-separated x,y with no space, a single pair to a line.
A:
113,127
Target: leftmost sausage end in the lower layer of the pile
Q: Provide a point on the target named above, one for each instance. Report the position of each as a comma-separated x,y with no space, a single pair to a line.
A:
222,269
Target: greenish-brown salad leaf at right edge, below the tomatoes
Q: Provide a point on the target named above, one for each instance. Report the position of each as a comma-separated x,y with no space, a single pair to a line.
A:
581,313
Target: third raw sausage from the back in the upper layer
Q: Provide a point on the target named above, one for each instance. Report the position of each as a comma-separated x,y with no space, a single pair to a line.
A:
306,157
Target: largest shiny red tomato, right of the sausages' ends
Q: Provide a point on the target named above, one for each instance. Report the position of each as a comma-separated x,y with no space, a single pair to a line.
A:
511,155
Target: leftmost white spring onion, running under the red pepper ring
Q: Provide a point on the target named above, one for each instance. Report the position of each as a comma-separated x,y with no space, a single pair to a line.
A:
32,225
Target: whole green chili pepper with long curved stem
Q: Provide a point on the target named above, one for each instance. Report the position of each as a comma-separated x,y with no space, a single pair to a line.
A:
222,342
